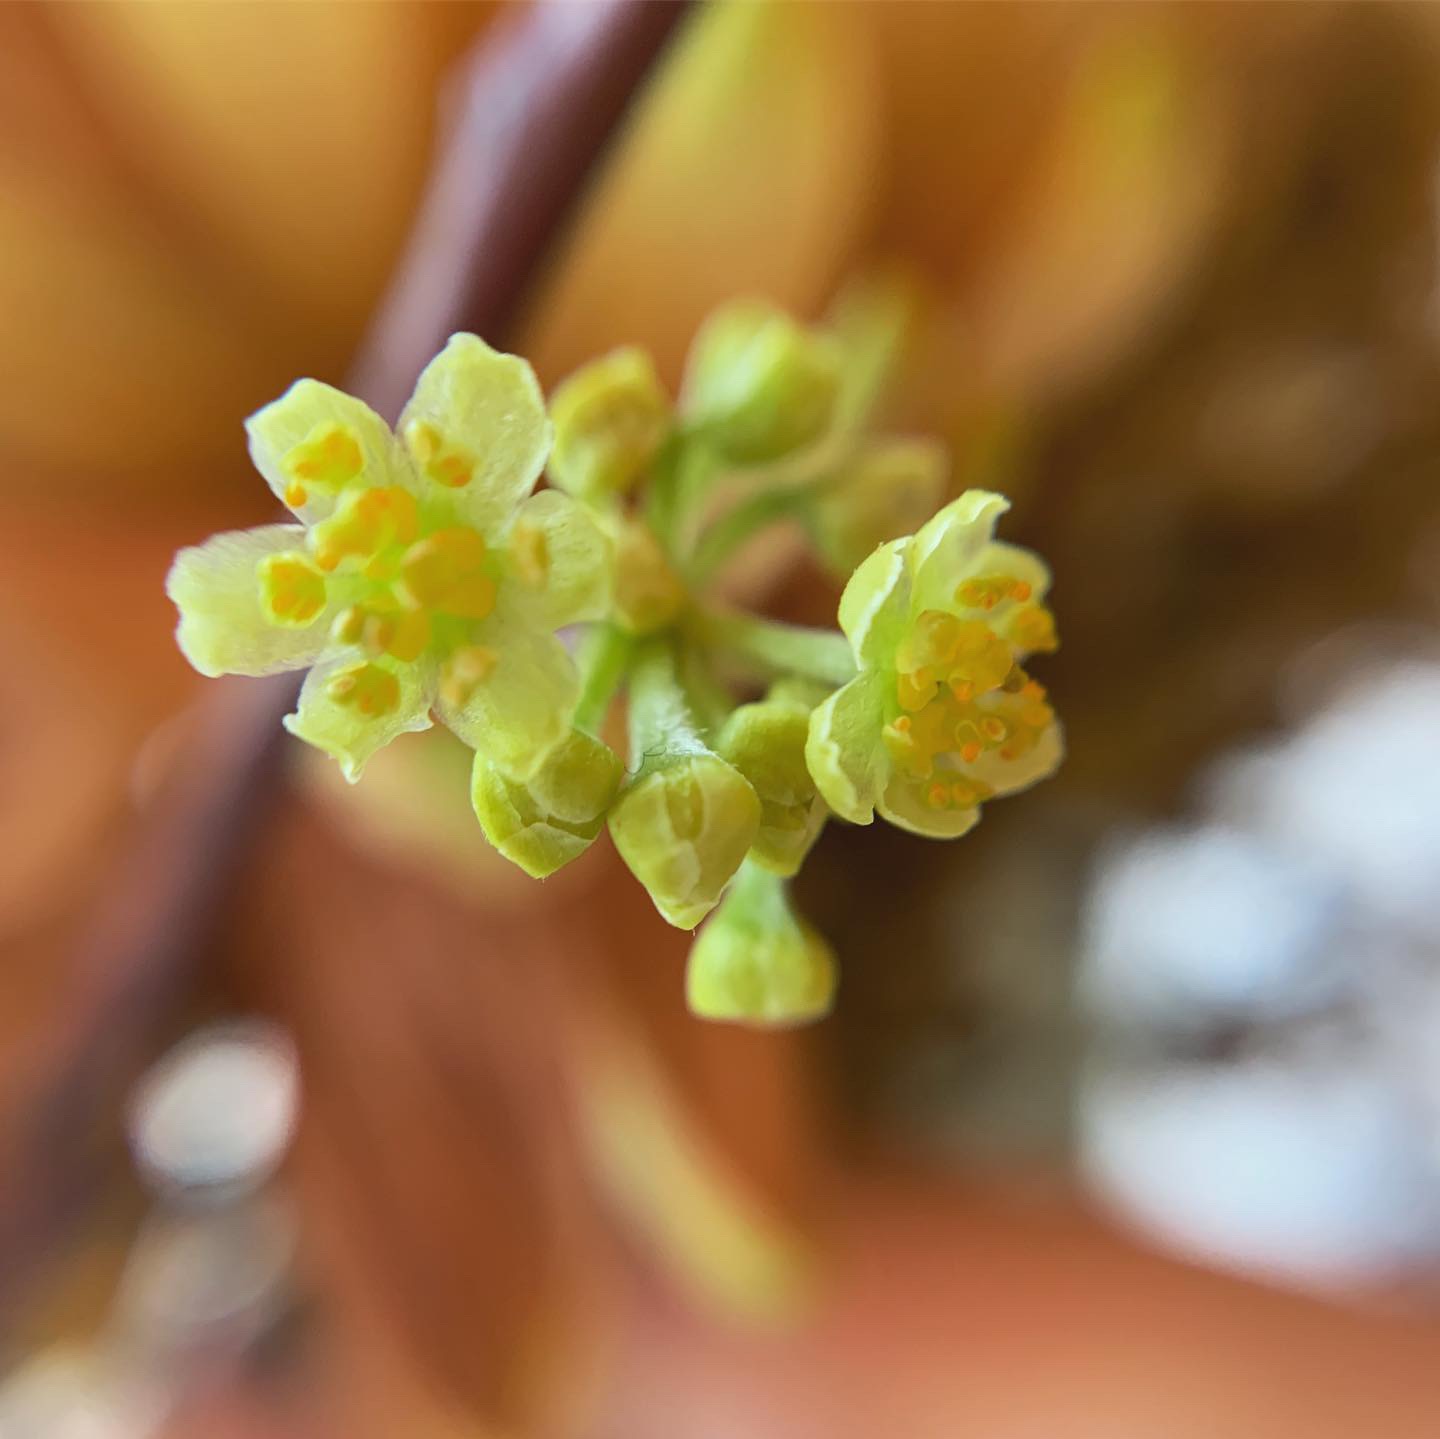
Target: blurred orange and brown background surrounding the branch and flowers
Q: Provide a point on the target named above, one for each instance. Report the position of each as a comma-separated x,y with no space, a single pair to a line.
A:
1128,1121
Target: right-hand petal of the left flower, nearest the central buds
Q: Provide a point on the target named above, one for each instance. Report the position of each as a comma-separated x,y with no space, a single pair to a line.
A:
565,558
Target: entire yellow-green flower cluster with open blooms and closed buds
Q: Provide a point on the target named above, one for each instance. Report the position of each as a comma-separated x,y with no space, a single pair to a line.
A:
426,578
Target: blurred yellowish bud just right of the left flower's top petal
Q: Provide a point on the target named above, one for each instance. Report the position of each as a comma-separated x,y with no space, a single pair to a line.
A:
610,421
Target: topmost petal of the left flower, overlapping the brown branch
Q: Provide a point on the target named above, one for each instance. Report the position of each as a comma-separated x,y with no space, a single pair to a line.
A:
477,427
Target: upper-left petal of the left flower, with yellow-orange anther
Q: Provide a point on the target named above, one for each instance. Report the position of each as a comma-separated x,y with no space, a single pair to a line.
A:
315,443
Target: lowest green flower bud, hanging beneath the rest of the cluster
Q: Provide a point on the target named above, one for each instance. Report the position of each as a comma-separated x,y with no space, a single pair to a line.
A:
757,961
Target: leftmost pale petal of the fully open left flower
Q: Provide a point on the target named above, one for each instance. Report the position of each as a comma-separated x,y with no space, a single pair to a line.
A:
224,629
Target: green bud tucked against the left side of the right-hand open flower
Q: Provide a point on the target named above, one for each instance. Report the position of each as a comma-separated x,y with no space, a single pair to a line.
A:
767,744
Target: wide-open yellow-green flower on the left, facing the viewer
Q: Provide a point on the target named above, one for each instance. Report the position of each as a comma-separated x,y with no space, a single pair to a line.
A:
424,575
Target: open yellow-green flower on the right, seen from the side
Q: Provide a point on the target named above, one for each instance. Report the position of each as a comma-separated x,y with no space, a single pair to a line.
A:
941,717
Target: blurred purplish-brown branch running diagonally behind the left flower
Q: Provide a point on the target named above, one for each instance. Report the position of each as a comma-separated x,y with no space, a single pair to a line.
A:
536,107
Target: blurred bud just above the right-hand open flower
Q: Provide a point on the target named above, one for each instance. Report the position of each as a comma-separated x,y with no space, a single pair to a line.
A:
888,490
